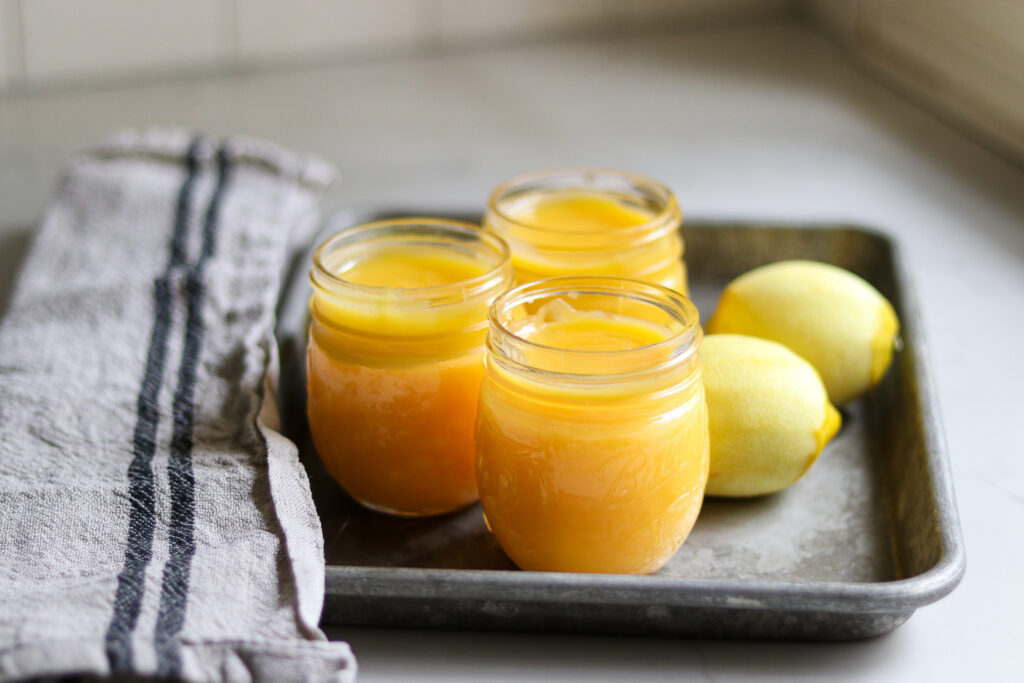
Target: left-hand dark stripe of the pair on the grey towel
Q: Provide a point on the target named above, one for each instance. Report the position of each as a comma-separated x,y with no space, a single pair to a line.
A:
142,489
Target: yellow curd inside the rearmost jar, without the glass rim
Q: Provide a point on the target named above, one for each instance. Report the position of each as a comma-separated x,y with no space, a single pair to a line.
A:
582,240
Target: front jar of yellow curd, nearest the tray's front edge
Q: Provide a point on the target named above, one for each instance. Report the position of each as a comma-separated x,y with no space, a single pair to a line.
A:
592,435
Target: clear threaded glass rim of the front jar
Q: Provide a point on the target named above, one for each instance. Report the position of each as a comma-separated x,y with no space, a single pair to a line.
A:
673,351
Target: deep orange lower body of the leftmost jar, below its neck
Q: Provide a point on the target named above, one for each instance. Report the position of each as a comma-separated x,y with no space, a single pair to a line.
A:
399,440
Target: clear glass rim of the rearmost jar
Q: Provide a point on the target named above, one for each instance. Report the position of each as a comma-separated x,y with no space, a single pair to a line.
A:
669,211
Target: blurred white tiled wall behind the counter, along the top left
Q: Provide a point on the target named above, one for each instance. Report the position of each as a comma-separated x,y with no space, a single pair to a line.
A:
51,44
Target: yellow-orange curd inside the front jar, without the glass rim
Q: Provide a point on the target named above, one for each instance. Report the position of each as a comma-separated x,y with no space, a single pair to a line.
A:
600,480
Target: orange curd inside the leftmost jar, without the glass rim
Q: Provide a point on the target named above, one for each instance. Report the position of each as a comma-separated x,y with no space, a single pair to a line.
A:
394,385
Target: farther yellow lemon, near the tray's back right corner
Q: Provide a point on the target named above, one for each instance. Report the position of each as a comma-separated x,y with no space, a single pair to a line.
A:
832,318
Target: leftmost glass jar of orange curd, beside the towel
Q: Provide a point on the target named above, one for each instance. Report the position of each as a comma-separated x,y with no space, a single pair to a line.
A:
396,359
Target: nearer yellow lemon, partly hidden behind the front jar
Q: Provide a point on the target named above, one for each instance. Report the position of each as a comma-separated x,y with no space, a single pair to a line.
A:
769,415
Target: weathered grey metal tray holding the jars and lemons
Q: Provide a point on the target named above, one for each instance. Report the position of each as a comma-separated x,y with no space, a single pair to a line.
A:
850,551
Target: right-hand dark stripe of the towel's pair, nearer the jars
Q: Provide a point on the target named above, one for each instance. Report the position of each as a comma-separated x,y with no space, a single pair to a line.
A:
175,591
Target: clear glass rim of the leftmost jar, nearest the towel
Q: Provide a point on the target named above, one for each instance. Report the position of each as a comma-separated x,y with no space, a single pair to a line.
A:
324,279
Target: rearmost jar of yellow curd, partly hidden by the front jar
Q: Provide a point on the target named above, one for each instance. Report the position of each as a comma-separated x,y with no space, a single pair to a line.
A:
590,222
